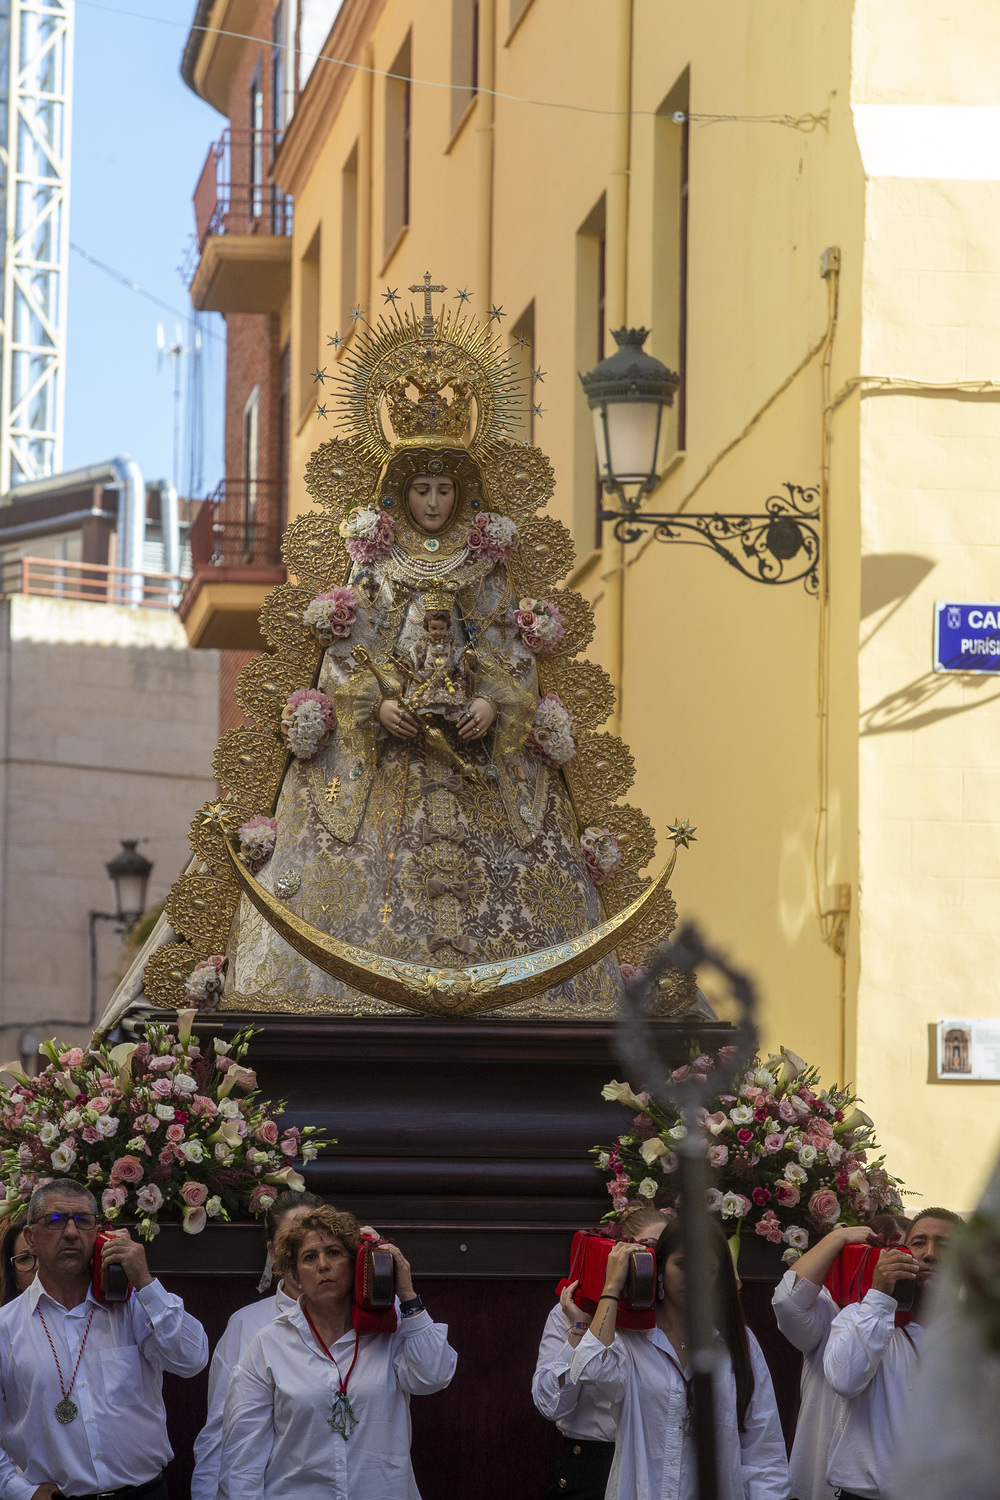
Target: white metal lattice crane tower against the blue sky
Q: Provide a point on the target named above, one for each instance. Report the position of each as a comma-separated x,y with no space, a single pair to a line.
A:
37,65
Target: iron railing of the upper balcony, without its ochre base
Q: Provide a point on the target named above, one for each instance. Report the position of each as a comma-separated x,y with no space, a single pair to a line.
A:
235,193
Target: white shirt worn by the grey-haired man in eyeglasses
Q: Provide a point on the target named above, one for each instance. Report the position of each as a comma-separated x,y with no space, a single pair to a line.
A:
119,1436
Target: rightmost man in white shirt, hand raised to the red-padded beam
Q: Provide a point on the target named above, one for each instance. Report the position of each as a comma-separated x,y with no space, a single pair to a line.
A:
870,1363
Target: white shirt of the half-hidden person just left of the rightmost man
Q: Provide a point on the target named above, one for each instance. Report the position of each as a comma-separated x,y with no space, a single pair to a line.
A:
804,1313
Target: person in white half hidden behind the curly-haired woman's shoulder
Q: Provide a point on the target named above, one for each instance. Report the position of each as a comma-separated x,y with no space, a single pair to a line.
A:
241,1330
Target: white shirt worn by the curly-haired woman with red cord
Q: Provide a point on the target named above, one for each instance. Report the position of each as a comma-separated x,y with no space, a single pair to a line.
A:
277,1436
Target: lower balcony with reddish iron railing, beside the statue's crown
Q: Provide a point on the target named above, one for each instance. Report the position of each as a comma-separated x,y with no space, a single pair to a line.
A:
236,559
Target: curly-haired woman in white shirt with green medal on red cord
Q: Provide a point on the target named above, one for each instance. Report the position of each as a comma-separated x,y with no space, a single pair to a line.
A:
317,1411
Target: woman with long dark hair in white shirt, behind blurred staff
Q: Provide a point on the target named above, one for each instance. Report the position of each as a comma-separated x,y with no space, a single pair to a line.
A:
647,1373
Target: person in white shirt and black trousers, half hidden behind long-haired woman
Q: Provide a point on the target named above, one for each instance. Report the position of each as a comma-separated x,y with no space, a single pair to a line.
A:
582,1414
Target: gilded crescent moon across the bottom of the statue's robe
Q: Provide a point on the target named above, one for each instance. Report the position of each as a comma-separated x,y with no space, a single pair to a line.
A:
448,992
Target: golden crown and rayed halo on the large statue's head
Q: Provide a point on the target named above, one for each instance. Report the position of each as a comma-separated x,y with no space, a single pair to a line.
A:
467,388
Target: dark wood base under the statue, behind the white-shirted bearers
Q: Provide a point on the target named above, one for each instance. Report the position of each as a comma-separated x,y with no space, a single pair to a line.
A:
469,1144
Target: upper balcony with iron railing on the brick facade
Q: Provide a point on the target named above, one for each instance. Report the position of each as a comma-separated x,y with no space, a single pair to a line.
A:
244,224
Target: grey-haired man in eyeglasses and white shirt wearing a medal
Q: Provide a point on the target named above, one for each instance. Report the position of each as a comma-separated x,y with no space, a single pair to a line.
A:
82,1378
